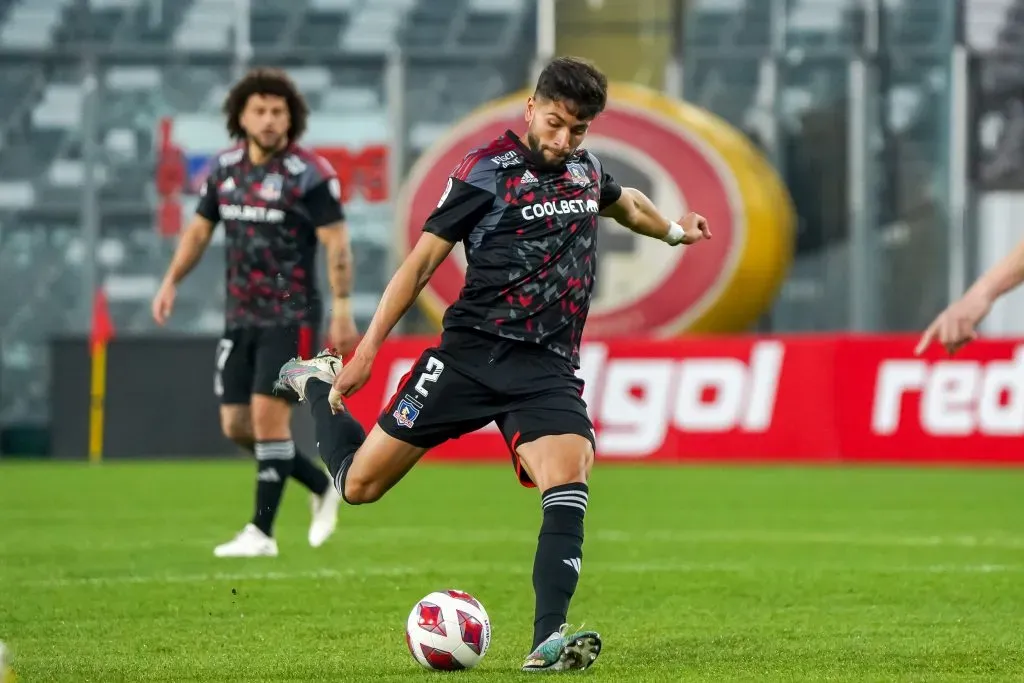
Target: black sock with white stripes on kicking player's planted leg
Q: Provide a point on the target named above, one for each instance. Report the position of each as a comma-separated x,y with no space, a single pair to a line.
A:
560,554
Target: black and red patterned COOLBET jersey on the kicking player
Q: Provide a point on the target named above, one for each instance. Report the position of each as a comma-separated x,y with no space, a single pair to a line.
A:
530,232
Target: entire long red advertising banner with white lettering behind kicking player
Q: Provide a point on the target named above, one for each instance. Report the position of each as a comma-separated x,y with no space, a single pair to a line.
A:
815,399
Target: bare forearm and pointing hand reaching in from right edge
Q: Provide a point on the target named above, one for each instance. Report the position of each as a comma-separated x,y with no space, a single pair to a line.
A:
956,326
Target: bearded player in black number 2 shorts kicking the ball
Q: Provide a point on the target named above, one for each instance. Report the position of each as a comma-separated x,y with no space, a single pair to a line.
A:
527,210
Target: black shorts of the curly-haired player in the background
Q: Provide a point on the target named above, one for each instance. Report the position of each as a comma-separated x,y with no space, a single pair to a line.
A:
249,360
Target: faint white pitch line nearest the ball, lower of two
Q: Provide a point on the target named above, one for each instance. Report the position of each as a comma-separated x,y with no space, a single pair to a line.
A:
505,570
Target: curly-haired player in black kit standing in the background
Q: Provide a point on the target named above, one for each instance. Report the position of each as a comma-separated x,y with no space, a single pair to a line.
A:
277,201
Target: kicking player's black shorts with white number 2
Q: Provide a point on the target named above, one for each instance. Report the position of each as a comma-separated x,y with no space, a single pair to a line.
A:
473,379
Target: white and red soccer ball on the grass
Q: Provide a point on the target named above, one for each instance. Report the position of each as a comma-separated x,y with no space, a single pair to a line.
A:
448,631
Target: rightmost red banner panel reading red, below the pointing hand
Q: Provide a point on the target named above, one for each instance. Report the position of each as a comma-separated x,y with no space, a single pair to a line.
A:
899,408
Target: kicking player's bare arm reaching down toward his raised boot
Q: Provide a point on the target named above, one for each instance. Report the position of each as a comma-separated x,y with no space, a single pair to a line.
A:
399,297
